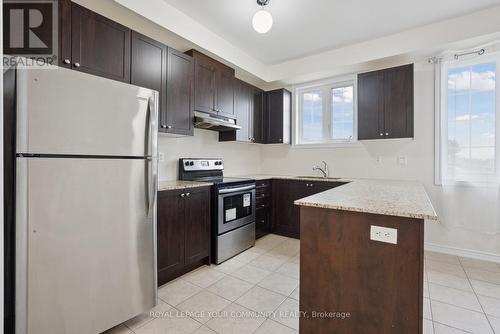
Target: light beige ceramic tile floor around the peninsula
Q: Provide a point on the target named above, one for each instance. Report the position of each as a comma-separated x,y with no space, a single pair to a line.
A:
460,295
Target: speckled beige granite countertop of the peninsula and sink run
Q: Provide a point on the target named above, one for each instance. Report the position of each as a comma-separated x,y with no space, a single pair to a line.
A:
385,197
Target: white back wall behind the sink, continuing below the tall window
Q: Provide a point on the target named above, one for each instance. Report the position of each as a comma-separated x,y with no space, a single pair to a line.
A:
469,217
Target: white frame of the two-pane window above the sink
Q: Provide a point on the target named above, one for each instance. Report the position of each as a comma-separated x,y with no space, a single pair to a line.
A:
326,87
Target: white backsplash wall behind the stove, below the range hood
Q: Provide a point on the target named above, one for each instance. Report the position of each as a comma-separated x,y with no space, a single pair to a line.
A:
239,158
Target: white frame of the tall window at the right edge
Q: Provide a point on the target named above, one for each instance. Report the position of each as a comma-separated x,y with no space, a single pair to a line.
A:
442,123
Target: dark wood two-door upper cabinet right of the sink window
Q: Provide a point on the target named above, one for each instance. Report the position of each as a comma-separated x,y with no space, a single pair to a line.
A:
385,103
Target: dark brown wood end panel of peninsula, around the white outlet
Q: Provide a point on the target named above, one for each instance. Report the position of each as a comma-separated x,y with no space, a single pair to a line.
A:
342,271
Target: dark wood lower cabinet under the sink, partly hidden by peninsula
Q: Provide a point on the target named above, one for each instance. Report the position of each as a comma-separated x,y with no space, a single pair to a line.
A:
286,215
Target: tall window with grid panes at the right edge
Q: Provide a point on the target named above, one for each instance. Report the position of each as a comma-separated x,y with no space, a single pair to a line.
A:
470,114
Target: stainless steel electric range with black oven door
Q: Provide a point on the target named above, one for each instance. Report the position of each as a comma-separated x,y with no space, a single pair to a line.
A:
232,206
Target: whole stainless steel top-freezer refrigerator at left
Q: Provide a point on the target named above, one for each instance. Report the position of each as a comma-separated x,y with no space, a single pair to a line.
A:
86,167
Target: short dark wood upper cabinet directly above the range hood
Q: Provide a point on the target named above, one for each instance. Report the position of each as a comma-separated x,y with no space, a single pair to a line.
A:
214,85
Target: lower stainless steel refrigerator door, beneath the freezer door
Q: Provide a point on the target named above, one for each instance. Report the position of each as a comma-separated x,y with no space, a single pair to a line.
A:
85,243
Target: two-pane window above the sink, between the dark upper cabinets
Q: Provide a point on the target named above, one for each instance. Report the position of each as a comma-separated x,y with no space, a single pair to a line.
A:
326,113
